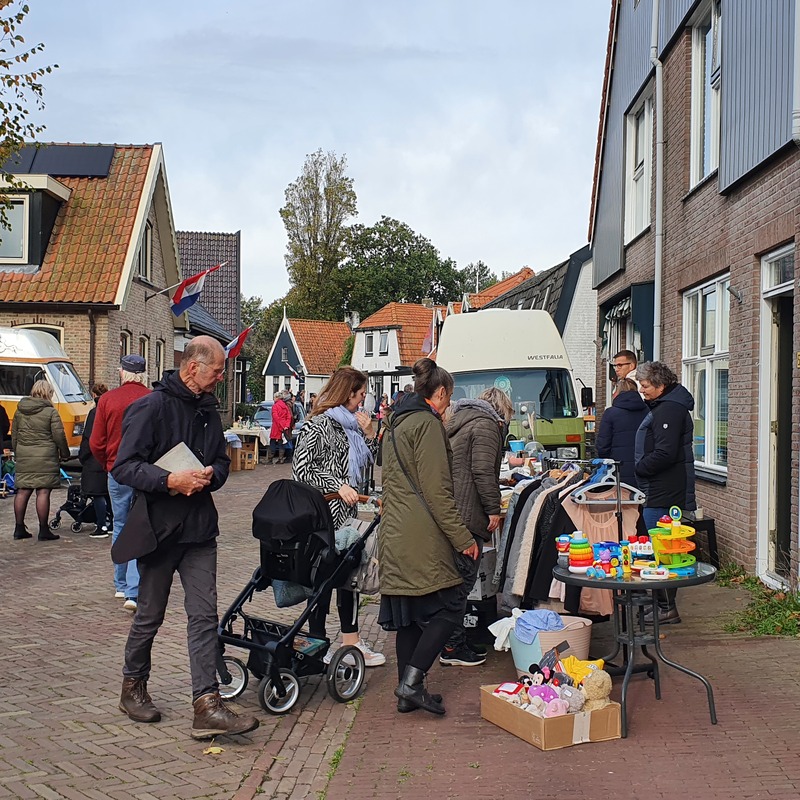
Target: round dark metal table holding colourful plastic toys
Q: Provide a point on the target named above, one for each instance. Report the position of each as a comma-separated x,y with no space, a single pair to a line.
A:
632,598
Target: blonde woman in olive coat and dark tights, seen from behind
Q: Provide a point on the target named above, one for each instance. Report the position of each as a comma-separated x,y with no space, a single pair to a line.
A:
39,443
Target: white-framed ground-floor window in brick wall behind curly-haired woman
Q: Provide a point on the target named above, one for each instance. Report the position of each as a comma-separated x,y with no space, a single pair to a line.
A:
705,369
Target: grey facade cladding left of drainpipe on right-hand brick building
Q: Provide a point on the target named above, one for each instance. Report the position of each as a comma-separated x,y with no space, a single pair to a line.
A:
630,70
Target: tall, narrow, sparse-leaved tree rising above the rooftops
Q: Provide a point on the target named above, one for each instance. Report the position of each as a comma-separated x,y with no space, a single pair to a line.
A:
318,205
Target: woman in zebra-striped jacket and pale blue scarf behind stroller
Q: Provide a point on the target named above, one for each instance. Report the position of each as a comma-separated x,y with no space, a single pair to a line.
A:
335,447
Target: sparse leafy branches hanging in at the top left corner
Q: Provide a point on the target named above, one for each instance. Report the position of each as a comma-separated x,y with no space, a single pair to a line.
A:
21,88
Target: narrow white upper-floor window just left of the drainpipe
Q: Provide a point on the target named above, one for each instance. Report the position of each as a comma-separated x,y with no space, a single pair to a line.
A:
638,161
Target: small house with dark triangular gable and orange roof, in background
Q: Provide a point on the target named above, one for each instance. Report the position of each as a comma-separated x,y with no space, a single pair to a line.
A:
305,353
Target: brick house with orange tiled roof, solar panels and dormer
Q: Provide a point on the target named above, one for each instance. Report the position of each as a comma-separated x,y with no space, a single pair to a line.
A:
91,240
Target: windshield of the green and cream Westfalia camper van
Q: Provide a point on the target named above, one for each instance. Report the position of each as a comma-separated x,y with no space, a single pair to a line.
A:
548,391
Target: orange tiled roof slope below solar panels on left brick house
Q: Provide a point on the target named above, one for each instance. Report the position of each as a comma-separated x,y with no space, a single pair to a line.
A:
86,253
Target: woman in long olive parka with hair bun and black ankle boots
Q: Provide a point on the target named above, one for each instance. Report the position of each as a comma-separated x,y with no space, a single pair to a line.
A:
425,551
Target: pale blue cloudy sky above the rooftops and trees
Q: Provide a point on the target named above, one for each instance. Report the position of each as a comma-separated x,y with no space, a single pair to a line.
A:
475,123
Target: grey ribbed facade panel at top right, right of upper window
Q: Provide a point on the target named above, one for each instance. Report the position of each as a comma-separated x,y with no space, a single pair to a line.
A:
757,68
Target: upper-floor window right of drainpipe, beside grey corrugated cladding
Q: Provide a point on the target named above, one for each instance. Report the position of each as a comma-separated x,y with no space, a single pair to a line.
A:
706,82
